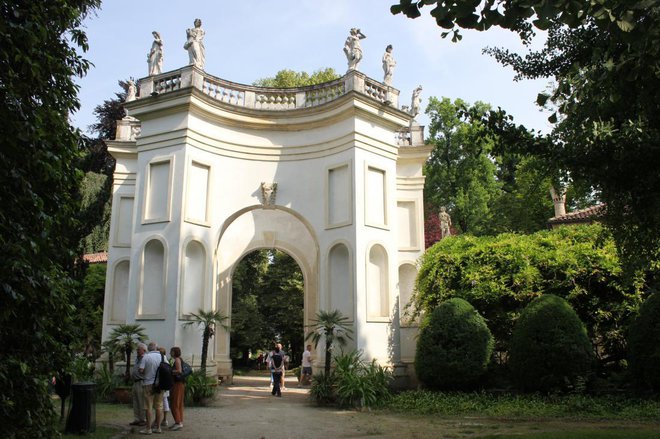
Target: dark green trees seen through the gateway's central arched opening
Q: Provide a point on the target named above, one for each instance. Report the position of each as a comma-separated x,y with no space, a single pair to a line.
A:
268,300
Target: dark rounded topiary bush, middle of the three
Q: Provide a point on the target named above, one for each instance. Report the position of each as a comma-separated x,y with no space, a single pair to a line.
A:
550,349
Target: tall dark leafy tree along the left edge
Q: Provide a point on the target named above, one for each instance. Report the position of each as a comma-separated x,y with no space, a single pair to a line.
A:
39,55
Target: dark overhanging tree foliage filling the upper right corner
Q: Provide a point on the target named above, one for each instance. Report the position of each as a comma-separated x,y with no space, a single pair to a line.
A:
603,56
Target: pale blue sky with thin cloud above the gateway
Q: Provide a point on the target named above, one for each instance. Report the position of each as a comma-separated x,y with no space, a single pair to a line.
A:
251,39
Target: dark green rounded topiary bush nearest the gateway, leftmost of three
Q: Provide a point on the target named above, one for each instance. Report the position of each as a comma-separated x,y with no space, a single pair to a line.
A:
454,346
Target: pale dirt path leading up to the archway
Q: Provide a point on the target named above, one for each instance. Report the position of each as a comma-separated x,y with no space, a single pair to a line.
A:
246,409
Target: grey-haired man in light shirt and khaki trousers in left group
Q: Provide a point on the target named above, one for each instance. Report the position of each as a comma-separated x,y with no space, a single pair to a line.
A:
153,397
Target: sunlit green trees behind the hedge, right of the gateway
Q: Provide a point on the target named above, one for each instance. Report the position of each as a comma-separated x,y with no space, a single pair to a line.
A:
486,187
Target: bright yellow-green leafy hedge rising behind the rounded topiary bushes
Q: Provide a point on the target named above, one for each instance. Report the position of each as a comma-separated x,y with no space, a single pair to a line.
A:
501,275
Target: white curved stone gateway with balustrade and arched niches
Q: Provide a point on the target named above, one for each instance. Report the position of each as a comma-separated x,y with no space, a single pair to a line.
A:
209,170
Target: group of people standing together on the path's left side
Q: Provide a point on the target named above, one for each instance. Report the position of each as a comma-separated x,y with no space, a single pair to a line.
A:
147,399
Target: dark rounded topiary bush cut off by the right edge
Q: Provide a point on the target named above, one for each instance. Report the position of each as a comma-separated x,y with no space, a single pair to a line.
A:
643,347
